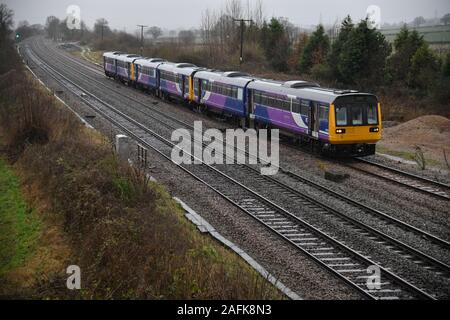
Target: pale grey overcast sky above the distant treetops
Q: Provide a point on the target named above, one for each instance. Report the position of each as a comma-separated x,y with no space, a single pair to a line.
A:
175,14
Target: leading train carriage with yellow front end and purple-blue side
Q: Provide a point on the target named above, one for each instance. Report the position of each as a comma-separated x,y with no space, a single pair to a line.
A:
337,122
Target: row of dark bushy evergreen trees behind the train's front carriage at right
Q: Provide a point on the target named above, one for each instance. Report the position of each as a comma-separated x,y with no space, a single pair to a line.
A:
362,58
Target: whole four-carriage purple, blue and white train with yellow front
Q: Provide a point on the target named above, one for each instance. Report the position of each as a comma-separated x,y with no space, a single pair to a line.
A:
331,121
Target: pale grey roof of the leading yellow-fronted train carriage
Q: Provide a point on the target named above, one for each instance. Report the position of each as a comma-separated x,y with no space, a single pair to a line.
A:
302,89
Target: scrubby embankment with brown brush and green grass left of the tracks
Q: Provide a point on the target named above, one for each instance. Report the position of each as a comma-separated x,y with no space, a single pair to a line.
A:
68,200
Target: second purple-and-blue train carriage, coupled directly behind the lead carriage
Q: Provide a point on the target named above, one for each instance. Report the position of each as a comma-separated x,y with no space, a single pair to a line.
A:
222,92
